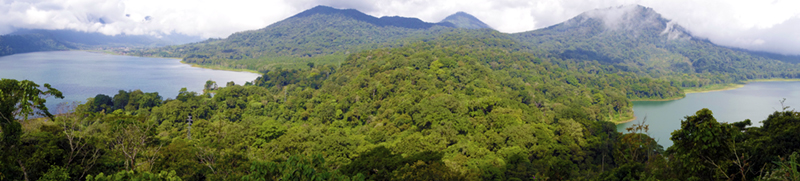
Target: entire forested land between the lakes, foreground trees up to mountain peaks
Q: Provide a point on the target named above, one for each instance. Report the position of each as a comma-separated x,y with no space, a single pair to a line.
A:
347,96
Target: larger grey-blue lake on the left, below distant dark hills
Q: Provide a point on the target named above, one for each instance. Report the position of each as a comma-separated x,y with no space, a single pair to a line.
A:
81,75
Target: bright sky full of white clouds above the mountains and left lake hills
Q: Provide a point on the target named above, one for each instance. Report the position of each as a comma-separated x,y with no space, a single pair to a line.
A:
766,25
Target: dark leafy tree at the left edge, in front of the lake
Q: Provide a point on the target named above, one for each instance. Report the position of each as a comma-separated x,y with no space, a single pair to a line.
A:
21,99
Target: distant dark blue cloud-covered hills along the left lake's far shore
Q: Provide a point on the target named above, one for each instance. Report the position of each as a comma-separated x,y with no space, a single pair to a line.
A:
34,40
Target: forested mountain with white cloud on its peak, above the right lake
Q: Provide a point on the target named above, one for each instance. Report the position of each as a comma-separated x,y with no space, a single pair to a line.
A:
638,39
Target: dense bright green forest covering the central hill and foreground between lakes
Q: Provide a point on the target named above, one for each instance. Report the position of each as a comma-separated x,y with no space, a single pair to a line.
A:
455,107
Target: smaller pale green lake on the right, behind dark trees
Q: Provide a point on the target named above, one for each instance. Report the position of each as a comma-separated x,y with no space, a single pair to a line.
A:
754,101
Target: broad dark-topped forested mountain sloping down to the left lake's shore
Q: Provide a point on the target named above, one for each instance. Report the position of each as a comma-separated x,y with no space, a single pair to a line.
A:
322,35
